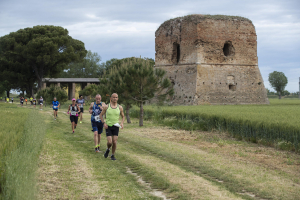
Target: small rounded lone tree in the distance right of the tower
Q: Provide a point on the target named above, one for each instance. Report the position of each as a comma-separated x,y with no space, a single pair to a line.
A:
278,82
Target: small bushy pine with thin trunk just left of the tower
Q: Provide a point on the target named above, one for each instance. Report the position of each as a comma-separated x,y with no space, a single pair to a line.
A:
137,80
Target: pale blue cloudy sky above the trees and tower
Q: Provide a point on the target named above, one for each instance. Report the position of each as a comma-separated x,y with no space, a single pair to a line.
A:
126,28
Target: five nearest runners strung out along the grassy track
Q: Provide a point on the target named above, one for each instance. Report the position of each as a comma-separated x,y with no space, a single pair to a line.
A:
97,109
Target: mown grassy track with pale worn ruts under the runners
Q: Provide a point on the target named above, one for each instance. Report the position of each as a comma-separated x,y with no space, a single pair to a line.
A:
153,162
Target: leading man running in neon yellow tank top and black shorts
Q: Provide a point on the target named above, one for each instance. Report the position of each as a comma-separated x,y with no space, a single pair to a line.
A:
112,111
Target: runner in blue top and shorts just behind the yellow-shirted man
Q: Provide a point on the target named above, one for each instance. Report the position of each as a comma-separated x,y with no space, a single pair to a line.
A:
95,110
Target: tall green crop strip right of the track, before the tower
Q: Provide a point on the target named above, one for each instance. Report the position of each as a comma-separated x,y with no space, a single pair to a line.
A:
277,123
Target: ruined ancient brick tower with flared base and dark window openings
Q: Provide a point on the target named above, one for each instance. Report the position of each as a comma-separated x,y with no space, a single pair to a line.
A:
210,59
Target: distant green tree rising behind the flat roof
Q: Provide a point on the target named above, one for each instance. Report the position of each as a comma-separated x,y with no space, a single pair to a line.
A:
89,67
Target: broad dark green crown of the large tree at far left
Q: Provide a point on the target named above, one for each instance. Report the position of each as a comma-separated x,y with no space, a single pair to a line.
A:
40,51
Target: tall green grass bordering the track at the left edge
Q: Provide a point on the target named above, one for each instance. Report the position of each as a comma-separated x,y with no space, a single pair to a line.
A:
22,134
